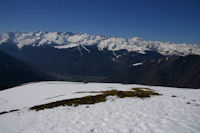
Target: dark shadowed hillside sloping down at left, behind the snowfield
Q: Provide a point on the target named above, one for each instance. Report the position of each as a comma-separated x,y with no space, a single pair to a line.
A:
15,72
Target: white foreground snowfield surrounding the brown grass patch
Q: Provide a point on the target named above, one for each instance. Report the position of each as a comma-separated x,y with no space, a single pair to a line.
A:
176,110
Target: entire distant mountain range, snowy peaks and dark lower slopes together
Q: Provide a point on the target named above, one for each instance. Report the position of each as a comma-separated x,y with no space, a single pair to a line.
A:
82,57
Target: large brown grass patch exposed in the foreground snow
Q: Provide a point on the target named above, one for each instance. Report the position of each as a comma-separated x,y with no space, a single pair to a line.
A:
138,92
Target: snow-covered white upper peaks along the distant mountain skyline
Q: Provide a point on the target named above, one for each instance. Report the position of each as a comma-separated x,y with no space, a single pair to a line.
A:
63,40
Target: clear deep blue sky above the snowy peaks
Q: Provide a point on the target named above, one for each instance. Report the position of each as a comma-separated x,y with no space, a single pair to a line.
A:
162,20
